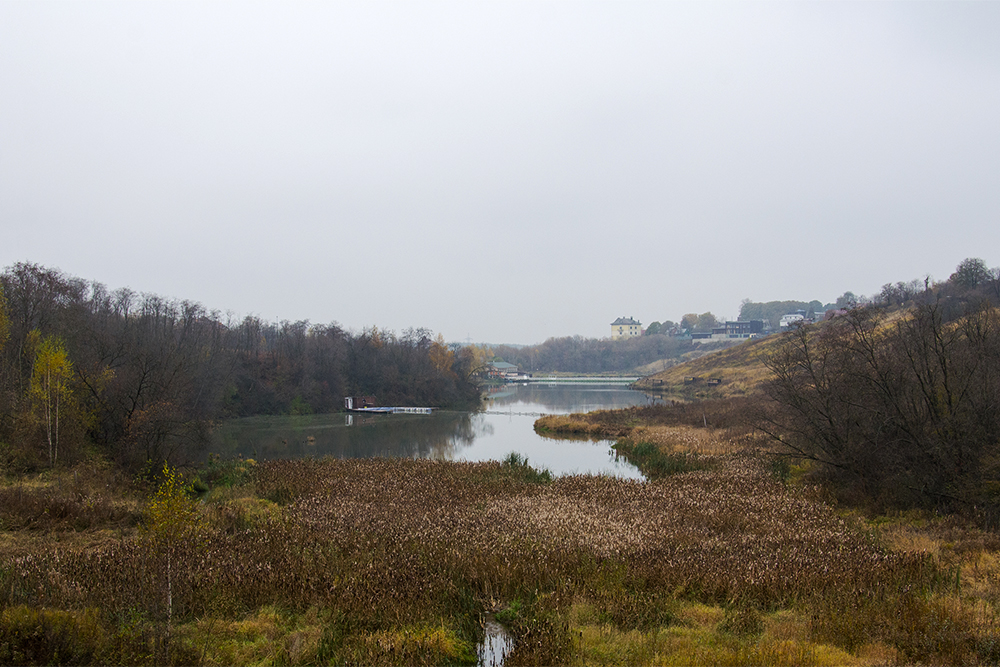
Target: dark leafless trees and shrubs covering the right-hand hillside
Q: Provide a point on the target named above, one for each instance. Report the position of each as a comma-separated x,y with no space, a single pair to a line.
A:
900,406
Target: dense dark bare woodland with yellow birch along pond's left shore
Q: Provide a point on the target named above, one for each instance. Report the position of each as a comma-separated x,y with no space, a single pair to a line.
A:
142,377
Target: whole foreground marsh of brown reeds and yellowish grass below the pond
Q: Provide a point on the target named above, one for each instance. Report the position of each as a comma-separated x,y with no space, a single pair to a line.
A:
382,561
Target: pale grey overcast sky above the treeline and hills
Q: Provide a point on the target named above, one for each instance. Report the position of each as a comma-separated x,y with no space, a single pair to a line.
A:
504,171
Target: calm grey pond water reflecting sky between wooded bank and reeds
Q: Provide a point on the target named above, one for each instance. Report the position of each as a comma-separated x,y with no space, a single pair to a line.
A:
505,425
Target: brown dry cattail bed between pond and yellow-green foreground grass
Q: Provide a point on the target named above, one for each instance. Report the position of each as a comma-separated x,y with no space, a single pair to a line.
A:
396,546
